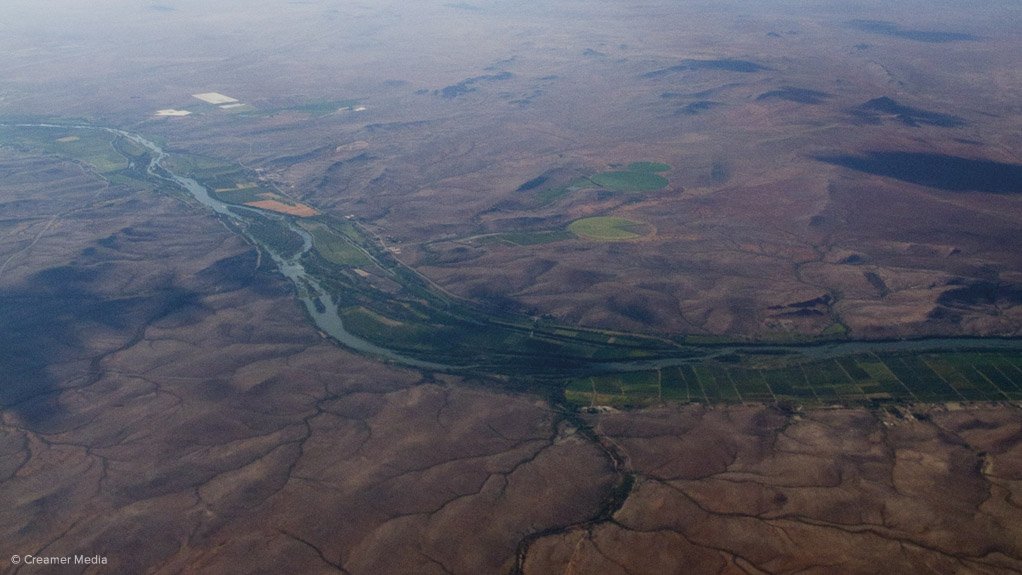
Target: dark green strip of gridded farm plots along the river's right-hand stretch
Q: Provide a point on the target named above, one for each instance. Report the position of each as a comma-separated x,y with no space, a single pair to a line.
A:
933,377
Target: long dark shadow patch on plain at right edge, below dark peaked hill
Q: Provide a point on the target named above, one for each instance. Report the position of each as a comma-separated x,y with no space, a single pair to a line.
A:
943,172
